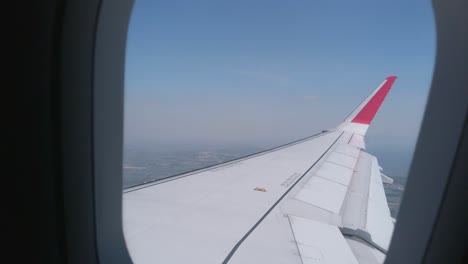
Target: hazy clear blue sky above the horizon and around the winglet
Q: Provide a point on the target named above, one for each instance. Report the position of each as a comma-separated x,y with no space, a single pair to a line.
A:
268,72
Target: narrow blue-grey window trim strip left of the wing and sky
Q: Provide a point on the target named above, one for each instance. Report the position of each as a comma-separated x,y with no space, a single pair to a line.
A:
108,104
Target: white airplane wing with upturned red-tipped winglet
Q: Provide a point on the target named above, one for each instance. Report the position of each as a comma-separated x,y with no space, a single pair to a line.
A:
315,200
